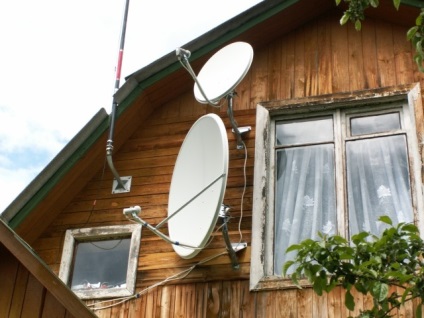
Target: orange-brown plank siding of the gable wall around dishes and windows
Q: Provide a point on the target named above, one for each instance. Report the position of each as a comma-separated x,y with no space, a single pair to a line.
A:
319,58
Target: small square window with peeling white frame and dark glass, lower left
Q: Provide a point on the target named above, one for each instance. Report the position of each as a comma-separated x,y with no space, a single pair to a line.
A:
101,262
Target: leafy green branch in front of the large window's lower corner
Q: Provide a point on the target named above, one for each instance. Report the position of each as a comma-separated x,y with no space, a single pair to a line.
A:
368,263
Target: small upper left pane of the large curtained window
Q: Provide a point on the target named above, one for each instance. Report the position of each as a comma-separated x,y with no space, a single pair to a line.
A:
304,131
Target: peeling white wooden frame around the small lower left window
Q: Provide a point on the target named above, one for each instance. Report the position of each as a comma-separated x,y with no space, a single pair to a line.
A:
74,236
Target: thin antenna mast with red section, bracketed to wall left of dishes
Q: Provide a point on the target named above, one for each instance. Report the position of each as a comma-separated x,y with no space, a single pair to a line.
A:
120,184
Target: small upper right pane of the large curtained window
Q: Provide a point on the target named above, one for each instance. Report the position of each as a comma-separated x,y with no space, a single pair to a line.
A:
374,124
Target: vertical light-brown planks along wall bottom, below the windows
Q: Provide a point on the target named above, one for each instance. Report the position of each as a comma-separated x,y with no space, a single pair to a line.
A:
233,299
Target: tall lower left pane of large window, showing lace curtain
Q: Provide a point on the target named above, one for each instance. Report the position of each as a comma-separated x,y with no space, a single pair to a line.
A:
305,200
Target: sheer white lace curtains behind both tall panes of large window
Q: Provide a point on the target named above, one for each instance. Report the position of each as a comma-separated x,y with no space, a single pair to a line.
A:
305,199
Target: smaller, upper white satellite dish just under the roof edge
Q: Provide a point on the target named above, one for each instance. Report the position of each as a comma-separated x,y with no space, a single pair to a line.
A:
223,72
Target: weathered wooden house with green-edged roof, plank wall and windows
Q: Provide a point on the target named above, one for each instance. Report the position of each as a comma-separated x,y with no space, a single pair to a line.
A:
308,73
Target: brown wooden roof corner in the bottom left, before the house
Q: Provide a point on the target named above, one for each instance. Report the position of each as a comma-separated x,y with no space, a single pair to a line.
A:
28,287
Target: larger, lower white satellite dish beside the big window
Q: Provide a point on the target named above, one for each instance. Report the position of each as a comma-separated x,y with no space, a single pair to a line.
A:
198,185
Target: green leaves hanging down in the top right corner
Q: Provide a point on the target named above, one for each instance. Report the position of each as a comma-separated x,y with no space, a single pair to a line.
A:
355,14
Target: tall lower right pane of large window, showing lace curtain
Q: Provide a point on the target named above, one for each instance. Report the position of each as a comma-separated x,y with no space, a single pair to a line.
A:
378,183
